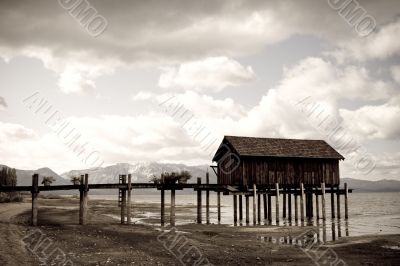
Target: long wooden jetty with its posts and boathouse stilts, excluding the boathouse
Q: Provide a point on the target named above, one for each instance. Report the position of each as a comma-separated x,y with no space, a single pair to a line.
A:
267,192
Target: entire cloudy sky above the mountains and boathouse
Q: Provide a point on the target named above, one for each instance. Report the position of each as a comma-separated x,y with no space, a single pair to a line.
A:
94,83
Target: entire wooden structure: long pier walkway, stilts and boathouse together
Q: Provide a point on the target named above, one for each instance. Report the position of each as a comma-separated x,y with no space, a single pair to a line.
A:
251,167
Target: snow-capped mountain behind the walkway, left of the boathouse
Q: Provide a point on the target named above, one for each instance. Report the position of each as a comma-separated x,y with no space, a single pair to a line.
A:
141,172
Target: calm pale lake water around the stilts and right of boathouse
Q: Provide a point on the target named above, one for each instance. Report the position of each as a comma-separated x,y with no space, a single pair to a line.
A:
369,213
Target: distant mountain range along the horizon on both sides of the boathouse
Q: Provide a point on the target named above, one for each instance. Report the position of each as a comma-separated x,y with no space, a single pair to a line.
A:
142,173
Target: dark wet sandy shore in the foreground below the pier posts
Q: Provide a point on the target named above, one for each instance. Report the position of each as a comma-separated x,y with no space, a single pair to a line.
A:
103,241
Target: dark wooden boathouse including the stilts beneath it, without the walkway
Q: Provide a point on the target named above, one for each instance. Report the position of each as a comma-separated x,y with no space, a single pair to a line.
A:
291,165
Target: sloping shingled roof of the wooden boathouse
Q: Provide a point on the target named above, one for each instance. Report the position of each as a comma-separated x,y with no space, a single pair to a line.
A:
278,147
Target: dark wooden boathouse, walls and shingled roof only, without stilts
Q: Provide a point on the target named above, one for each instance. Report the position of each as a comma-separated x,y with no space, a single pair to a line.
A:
245,161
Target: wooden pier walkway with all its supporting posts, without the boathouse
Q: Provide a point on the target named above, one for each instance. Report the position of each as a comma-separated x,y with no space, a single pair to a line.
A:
267,191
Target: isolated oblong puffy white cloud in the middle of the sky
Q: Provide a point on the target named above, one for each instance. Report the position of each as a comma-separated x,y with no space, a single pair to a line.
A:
214,73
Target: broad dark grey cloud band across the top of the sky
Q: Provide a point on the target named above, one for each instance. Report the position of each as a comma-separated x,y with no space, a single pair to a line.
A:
168,31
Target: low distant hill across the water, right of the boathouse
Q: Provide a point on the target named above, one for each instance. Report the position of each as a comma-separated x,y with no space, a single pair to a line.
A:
383,185
